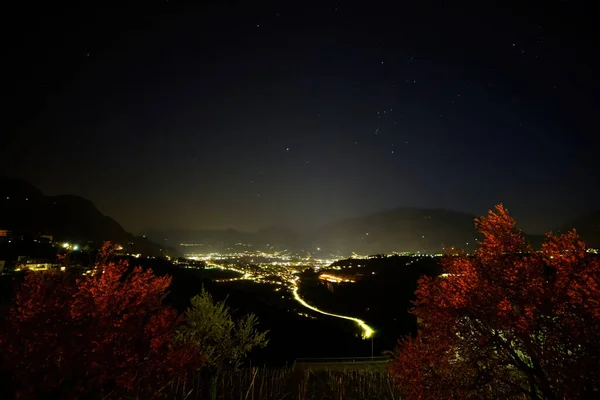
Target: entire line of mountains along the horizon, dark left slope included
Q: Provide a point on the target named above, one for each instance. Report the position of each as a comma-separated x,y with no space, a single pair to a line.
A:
24,208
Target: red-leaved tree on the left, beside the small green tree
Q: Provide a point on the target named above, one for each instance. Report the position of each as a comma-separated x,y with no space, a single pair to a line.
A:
106,334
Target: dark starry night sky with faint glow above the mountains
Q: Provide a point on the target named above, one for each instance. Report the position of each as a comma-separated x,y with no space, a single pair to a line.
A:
174,115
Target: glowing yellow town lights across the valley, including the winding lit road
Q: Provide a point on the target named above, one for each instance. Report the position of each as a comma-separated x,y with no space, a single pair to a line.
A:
280,269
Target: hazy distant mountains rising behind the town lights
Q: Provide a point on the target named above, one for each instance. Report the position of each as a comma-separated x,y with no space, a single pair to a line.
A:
406,229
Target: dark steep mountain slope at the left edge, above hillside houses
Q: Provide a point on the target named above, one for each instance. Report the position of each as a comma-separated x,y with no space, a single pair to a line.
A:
24,209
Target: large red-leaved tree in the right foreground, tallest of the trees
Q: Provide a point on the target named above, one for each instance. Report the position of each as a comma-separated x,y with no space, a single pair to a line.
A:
507,321
